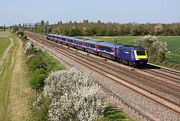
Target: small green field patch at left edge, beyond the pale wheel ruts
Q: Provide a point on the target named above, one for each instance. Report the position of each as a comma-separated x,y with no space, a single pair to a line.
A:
4,42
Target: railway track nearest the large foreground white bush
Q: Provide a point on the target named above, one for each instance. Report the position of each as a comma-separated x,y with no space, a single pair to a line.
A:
161,100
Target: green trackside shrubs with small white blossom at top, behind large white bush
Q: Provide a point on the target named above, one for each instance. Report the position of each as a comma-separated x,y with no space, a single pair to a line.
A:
40,64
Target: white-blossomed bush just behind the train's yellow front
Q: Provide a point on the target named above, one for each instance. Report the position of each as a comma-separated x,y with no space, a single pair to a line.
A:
157,50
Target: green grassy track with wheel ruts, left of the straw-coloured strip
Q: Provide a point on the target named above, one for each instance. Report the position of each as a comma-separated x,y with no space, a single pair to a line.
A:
5,78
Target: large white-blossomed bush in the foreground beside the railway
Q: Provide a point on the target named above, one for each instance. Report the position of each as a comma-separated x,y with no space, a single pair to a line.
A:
74,96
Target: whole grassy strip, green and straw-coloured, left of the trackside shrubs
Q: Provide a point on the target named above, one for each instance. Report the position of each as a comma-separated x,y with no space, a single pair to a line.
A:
14,87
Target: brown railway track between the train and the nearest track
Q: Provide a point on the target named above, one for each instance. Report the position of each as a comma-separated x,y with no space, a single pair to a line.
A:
160,85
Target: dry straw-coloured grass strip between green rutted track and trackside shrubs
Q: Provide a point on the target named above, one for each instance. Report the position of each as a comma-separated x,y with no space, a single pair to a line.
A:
19,92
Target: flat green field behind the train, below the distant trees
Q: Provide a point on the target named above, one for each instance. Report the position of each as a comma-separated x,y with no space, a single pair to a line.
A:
172,41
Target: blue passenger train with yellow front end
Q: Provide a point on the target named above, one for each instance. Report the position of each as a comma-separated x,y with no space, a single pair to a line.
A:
130,55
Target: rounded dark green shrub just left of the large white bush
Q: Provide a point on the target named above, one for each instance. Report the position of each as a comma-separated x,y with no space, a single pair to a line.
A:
38,77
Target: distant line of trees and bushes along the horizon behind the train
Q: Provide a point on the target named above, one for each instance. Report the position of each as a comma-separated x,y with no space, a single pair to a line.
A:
99,28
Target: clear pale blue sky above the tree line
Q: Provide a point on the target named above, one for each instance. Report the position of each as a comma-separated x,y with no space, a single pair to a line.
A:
120,11
